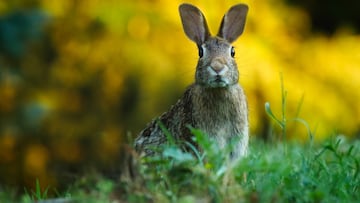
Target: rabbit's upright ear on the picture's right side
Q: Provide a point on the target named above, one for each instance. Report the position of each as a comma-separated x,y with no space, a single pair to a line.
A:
233,22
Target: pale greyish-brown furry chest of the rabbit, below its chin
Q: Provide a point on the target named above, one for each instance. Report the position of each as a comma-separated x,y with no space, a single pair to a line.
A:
221,113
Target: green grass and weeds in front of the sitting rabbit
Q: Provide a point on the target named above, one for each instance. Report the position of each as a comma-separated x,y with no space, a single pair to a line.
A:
328,172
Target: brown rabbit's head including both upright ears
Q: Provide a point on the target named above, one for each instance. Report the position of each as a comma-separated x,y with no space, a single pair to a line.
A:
216,67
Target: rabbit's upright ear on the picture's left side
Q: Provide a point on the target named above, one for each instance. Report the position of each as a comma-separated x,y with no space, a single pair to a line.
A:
194,23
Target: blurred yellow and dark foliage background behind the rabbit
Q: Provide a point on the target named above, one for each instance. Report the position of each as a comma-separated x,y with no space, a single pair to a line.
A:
77,76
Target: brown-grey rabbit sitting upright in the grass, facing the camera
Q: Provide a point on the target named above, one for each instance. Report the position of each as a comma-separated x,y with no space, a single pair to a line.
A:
215,103
